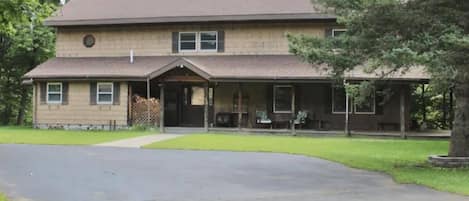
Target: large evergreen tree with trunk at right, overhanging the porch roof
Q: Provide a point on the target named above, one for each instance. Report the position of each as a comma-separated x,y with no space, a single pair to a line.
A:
398,35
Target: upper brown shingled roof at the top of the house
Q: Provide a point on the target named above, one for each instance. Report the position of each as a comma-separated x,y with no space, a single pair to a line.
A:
94,12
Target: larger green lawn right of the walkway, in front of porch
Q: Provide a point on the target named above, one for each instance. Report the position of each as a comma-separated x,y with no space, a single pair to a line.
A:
405,160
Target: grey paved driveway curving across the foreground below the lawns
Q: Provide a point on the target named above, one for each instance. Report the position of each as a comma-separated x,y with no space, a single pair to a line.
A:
58,173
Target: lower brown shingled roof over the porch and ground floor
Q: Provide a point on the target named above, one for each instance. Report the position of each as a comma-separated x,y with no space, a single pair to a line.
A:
213,68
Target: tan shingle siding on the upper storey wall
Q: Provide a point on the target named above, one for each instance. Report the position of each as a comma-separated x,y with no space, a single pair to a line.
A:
155,40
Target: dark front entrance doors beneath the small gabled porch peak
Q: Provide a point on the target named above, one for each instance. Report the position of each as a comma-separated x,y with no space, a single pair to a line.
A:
184,105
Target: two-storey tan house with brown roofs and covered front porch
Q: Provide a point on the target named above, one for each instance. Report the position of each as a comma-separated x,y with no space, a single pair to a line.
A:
210,63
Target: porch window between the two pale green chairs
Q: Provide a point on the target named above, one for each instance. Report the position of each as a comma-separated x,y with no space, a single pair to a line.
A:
283,99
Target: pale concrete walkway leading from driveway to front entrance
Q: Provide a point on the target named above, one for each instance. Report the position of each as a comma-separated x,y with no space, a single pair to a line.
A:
139,141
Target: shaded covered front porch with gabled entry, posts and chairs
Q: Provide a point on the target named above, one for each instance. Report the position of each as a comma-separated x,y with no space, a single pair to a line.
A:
196,92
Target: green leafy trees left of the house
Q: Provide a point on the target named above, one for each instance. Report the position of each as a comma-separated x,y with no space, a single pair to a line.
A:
24,44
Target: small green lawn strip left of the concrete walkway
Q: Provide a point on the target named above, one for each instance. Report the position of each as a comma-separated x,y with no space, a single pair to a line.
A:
22,135
